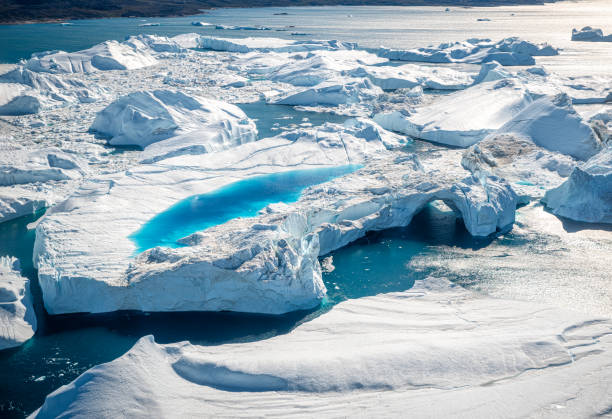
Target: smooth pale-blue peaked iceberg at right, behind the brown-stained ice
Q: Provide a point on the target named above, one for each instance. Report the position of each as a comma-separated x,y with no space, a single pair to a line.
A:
552,123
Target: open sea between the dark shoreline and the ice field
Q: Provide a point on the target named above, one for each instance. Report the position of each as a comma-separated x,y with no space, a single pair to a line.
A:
371,27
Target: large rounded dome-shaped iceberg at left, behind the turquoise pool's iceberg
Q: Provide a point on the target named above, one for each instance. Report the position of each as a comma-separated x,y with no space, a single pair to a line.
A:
142,118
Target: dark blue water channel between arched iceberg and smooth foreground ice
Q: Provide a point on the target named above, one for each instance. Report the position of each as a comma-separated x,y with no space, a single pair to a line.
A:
67,345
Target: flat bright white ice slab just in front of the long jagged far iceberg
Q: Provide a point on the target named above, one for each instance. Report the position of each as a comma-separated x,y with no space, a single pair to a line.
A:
410,75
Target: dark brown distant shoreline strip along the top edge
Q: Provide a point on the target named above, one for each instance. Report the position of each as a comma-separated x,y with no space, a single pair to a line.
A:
15,13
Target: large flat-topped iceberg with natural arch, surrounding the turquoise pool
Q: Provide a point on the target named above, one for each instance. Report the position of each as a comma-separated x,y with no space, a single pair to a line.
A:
265,264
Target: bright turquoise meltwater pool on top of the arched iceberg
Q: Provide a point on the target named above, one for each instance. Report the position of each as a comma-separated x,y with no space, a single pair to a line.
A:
239,199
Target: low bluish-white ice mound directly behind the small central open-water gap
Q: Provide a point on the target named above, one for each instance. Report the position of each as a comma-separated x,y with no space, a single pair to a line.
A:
332,92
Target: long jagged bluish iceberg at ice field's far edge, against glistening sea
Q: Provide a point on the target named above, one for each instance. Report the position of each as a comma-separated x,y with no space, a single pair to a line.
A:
508,51
